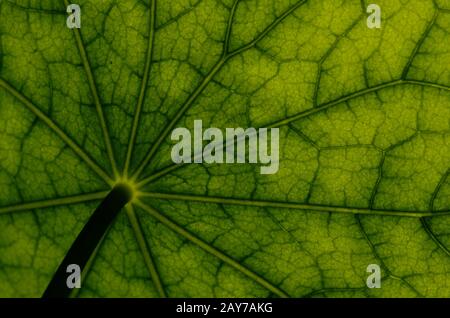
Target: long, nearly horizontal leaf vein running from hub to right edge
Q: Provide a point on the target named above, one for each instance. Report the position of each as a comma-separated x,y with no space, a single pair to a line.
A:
286,205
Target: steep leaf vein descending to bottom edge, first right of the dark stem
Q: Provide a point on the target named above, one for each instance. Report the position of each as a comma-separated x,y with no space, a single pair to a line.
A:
145,251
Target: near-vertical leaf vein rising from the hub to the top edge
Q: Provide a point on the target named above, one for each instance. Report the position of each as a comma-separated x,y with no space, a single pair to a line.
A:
144,84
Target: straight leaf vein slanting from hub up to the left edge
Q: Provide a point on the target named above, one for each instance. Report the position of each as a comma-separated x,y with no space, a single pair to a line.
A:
56,129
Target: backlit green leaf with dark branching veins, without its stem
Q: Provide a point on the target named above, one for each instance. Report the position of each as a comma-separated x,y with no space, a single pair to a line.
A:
364,146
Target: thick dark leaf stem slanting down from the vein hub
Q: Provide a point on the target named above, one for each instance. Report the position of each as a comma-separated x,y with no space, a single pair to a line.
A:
88,239
